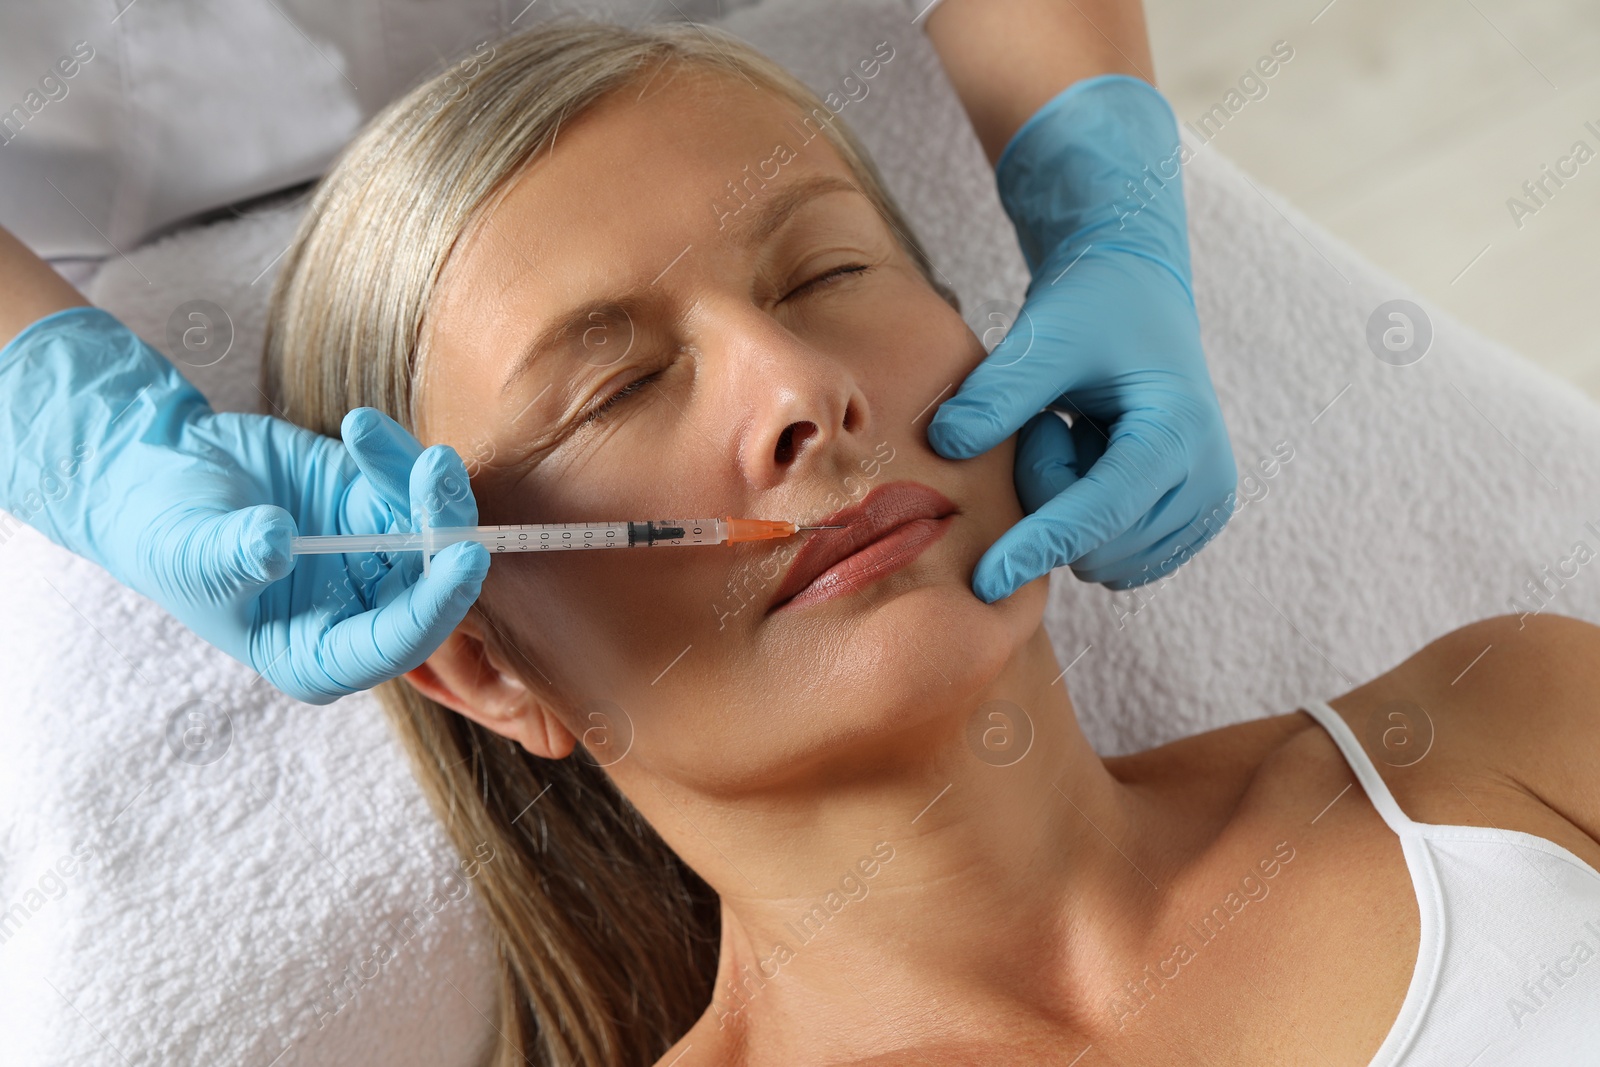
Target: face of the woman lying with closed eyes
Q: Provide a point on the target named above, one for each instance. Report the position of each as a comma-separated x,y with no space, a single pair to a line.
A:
753,366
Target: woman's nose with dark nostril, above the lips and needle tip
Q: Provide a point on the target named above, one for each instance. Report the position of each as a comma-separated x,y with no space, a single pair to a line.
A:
804,407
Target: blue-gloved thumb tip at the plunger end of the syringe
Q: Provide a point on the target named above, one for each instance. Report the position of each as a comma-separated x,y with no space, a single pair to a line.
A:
218,557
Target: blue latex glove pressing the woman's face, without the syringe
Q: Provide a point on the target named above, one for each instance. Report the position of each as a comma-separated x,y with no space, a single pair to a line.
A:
1108,334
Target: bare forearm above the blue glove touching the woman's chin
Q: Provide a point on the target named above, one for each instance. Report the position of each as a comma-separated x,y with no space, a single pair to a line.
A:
1009,58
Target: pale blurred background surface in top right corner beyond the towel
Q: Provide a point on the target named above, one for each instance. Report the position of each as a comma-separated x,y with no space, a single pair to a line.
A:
1406,129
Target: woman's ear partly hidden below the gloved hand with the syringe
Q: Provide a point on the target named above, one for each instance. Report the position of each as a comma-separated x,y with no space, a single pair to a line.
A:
470,676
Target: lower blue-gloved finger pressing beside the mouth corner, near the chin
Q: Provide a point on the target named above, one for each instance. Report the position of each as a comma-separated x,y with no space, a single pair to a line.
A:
1140,466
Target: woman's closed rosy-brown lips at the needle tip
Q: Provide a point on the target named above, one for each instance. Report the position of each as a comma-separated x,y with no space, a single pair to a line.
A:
884,532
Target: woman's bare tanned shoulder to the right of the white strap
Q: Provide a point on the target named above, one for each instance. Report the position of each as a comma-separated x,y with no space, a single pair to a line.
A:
1511,703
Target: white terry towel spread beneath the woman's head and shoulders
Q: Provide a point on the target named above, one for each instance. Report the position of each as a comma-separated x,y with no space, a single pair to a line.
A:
222,903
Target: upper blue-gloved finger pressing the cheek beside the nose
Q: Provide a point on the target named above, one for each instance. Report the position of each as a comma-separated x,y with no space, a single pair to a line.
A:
1026,372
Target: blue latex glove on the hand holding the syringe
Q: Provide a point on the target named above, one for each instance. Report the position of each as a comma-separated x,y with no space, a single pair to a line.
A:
113,455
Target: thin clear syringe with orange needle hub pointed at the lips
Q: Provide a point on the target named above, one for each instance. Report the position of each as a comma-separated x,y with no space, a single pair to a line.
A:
558,537
